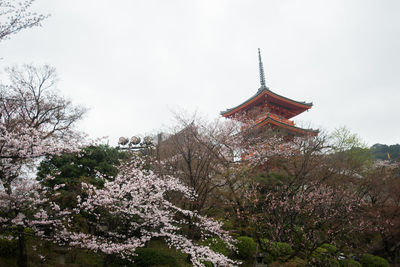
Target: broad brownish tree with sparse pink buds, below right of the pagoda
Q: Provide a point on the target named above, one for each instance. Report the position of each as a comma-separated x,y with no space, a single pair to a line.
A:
305,198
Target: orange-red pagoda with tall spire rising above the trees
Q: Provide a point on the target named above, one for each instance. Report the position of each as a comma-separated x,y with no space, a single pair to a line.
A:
268,109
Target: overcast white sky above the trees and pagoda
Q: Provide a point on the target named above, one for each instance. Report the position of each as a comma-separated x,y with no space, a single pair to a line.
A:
132,62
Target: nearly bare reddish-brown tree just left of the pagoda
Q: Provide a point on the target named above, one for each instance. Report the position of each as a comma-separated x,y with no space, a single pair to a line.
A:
216,158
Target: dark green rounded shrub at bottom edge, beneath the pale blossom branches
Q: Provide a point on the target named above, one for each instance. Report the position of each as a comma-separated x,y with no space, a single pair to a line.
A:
151,257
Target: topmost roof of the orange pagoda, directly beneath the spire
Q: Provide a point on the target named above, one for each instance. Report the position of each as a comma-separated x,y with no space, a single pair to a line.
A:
297,106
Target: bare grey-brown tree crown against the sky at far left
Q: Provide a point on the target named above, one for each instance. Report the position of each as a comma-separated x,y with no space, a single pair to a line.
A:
31,98
